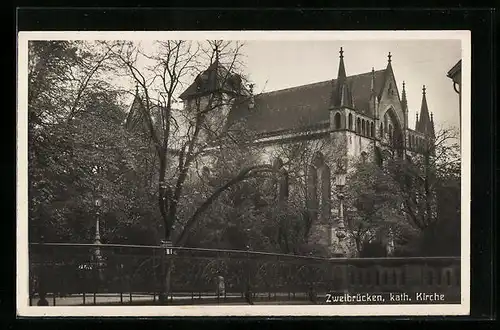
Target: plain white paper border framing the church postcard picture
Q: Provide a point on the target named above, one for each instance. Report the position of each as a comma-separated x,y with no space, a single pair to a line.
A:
23,308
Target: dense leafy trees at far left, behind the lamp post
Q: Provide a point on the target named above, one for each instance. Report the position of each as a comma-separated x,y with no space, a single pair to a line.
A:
78,150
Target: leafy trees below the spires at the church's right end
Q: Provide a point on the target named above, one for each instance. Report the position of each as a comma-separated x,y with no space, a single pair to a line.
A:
415,202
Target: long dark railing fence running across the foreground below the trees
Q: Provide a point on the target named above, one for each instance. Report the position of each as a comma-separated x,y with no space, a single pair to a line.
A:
81,274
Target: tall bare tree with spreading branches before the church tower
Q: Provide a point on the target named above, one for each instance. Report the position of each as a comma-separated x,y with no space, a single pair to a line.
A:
181,137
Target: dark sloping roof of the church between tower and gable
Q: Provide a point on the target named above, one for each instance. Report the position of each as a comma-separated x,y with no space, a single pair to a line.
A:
303,106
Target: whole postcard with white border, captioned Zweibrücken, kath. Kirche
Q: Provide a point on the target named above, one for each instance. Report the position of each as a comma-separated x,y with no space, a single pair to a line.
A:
243,173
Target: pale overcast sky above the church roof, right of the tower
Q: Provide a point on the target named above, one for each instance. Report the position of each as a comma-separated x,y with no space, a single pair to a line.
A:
274,65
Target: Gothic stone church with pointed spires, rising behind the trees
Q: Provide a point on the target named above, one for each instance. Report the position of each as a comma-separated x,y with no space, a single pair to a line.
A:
361,116
